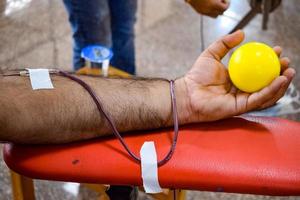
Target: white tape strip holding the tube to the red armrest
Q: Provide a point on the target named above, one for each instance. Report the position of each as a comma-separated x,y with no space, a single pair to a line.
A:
149,168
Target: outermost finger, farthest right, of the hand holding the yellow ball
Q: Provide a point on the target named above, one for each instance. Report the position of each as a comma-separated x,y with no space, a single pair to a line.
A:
289,73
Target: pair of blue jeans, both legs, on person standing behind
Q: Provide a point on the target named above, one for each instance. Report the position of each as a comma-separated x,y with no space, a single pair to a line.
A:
105,22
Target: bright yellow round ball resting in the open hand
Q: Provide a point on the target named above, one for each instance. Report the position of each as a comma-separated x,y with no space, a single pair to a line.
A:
253,66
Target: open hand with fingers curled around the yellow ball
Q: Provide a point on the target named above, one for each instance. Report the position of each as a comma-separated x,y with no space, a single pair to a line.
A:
212,96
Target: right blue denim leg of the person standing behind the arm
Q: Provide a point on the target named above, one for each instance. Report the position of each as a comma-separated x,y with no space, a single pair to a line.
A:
123,17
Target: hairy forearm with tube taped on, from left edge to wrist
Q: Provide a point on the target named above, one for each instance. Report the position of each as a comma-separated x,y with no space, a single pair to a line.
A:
68,113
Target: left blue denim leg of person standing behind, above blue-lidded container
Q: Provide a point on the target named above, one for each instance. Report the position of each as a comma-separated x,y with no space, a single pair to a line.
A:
90,25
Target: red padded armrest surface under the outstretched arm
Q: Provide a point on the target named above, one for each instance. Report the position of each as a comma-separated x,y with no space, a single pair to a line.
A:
240,155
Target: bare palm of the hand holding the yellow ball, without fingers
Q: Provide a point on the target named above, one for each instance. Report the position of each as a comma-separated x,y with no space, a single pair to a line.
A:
214,88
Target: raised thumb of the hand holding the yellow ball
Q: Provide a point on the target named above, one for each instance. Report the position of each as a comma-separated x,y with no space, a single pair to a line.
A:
220,48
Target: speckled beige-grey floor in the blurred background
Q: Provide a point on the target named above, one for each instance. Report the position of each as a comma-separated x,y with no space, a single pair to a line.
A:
167,44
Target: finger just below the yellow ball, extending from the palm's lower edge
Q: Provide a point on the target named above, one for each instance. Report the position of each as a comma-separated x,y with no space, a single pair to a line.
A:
257,99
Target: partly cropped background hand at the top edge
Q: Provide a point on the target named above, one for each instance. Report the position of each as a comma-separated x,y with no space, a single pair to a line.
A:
211,8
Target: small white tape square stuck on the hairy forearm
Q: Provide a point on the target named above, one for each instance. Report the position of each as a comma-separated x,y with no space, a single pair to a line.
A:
40,79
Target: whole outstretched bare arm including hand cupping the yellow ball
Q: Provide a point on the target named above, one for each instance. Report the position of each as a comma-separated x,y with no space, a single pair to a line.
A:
67,113
